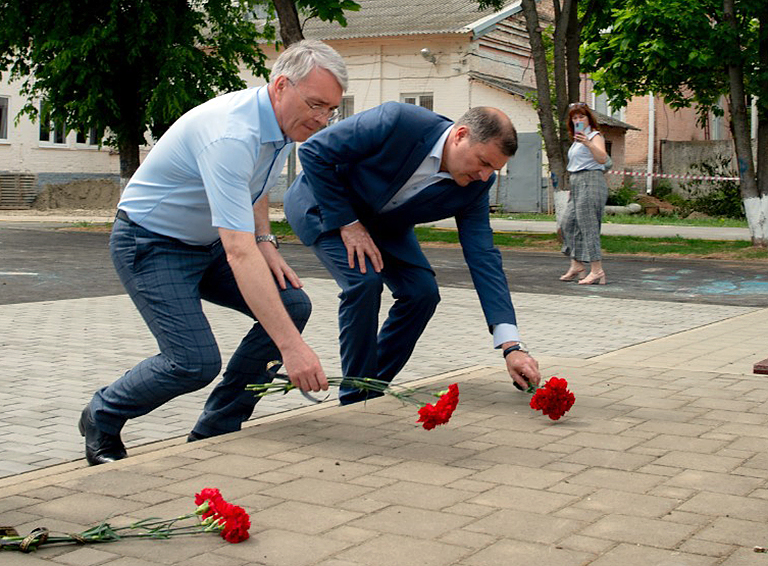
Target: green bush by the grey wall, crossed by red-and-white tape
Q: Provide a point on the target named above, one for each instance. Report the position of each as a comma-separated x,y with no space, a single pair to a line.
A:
725,197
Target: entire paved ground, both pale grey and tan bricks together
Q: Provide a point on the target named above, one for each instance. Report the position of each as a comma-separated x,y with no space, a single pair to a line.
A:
662,460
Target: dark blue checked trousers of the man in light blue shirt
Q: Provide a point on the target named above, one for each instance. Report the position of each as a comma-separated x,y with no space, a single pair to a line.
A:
167,280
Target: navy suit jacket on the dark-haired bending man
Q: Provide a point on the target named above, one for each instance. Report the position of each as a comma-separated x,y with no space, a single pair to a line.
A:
352,169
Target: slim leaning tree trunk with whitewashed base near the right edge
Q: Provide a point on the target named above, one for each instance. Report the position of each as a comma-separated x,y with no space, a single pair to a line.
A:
754,203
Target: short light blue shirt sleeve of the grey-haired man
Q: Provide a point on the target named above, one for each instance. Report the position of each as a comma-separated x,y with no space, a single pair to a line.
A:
226,167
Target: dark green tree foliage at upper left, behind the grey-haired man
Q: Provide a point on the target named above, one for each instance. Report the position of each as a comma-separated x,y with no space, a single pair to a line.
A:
132,66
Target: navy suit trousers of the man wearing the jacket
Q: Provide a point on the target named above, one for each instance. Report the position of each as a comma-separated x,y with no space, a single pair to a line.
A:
367,351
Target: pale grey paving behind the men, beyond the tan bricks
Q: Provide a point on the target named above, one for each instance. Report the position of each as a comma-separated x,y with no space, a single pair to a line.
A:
56,354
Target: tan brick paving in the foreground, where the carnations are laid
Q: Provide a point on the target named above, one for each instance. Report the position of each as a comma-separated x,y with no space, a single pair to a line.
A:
652,466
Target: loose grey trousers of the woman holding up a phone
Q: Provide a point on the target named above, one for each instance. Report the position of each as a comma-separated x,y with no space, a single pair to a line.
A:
583,216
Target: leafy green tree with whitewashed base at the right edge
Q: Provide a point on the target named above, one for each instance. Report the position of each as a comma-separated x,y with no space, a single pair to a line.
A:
692,53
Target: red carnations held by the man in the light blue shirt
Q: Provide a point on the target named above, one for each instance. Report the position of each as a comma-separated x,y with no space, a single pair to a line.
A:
429,415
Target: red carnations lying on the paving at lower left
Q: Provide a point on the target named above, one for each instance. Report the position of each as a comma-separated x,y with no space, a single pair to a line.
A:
213,514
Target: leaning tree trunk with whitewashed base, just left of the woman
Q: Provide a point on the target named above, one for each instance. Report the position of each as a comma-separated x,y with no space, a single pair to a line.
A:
544,107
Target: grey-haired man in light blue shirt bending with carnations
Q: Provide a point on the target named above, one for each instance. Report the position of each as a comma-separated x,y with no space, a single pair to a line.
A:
193,224
